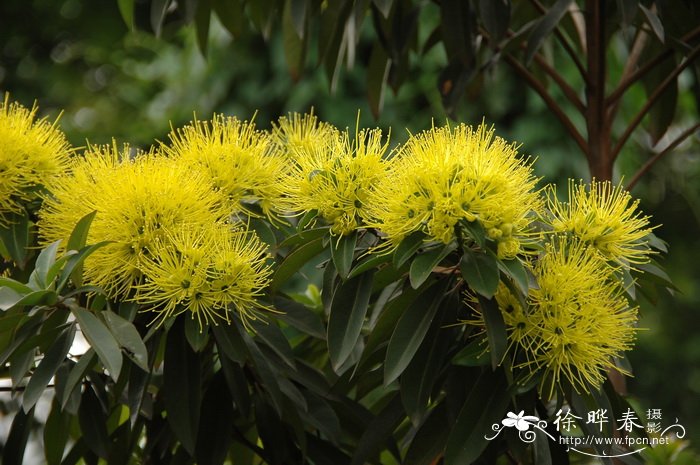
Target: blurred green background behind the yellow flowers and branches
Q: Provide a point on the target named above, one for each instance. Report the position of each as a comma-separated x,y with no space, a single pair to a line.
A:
77,58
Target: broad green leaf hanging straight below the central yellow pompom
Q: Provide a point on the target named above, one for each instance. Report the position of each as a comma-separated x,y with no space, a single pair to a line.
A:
348,311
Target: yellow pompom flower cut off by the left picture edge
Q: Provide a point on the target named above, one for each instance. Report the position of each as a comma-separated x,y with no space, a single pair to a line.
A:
32,153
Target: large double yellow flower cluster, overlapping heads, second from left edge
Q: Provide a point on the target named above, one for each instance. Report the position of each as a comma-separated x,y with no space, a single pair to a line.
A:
152,210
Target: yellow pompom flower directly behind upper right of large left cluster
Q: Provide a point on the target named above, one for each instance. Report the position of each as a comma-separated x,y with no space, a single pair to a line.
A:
239,161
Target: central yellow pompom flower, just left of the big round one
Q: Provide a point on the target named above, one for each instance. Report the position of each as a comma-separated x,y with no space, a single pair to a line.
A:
337,177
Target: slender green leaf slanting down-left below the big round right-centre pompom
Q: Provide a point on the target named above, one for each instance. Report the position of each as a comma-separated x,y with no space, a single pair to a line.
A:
410,331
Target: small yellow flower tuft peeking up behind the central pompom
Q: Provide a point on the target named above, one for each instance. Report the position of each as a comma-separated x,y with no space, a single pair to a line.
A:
301,133
